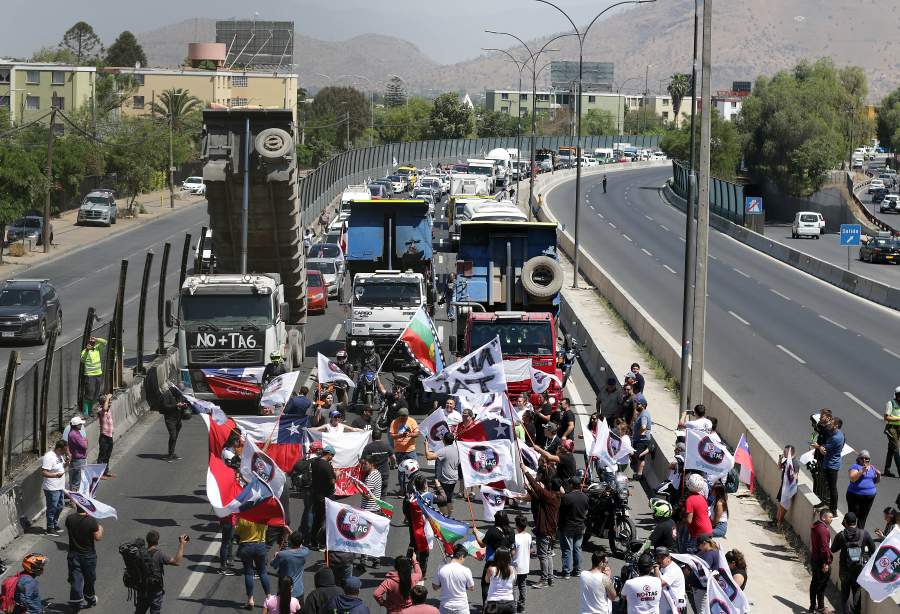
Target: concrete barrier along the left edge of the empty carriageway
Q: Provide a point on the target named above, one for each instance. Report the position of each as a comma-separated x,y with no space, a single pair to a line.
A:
734,420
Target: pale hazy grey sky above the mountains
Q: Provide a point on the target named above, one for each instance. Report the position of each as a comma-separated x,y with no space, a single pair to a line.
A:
447,31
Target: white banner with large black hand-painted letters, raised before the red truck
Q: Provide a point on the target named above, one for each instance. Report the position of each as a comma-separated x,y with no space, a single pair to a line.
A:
476,373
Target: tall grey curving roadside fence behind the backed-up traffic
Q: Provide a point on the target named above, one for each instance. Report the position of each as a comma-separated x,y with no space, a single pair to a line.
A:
319,188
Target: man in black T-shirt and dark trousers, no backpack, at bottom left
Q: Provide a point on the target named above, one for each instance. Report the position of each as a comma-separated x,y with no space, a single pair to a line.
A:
84,532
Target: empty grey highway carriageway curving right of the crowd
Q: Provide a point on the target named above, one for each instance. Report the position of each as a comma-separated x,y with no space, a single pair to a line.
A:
782,343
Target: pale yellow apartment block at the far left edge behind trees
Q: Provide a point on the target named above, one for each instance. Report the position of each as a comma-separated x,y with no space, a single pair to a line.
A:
29,90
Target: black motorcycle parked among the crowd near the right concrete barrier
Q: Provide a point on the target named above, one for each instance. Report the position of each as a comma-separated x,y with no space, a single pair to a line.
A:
609,514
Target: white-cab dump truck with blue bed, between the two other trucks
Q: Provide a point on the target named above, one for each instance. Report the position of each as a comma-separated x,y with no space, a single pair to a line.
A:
390,270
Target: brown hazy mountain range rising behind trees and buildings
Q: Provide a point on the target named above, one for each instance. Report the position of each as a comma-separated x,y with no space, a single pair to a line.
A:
646,44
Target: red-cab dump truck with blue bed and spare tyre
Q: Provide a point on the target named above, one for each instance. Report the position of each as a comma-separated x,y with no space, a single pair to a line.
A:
508,282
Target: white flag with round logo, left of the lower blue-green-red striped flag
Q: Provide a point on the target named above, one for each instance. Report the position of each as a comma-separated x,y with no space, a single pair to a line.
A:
348,529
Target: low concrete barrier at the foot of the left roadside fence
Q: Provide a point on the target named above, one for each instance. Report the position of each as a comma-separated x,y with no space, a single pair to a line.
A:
22,500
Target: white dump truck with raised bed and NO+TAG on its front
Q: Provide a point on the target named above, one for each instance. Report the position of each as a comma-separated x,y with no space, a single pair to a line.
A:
229,320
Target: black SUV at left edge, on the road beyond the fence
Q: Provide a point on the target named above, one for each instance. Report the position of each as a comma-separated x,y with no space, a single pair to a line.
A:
28,310
